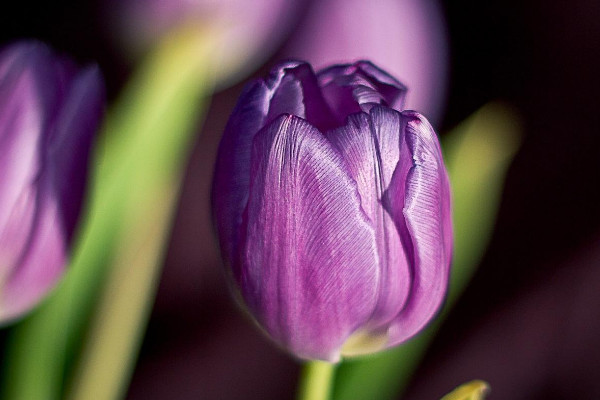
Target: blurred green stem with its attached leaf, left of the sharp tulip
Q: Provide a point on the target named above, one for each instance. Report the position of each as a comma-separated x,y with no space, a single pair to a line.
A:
139,164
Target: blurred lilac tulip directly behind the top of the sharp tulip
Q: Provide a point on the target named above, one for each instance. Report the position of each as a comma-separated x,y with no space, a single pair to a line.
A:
405,37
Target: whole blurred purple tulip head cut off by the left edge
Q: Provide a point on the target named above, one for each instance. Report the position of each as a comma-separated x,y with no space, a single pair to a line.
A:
49,112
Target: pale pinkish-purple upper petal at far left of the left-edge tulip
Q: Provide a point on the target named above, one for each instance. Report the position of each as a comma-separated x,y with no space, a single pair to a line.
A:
33,86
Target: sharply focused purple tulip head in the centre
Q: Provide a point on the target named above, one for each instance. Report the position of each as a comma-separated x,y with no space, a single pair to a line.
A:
333,210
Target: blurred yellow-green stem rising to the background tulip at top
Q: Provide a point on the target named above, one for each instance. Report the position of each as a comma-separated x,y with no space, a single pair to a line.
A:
149,136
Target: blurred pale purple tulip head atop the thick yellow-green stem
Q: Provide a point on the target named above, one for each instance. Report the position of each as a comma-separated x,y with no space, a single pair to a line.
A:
245,32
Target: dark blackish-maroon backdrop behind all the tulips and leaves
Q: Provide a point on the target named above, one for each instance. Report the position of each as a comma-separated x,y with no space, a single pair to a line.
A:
529,322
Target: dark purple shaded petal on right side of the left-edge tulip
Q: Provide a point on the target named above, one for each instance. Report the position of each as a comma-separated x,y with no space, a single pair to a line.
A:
69,147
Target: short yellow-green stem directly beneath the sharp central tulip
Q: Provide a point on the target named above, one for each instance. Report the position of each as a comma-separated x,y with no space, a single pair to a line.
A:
316,381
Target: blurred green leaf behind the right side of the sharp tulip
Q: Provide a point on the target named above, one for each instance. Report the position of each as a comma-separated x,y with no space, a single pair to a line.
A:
477,153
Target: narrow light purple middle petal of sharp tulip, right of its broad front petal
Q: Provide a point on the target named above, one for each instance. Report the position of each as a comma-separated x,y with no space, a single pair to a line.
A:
370,146
